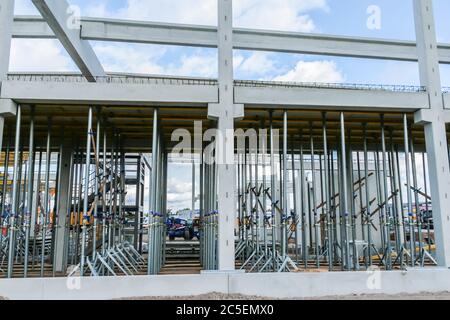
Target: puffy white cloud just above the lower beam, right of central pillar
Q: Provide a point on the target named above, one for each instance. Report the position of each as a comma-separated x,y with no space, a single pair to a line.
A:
313,71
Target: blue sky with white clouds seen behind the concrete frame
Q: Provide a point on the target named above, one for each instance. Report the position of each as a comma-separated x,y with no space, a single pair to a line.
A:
341,17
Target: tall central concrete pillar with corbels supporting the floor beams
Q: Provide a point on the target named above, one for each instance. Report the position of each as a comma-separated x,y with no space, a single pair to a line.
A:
225,112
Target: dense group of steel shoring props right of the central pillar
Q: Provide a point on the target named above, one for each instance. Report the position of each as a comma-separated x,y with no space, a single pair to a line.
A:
336,204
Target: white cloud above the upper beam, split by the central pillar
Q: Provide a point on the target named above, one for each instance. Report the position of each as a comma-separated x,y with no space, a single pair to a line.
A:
289,15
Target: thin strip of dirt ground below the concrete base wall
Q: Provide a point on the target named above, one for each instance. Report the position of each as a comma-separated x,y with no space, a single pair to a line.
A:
220,296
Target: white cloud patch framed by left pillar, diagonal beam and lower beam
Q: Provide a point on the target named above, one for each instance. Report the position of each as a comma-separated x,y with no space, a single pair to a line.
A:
38,55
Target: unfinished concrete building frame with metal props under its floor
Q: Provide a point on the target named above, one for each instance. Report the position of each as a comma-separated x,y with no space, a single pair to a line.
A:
294,185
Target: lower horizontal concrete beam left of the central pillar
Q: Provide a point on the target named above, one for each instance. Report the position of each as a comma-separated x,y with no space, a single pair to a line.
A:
48,92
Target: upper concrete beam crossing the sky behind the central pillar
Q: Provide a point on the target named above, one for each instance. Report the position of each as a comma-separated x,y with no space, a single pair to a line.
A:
246,39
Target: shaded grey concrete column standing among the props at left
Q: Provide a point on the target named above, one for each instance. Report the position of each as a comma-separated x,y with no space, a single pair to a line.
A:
63,209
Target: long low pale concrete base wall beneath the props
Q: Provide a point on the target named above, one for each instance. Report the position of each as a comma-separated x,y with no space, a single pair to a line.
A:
286,285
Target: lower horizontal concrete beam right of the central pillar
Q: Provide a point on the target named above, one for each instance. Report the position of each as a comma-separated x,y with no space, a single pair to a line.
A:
341,99
